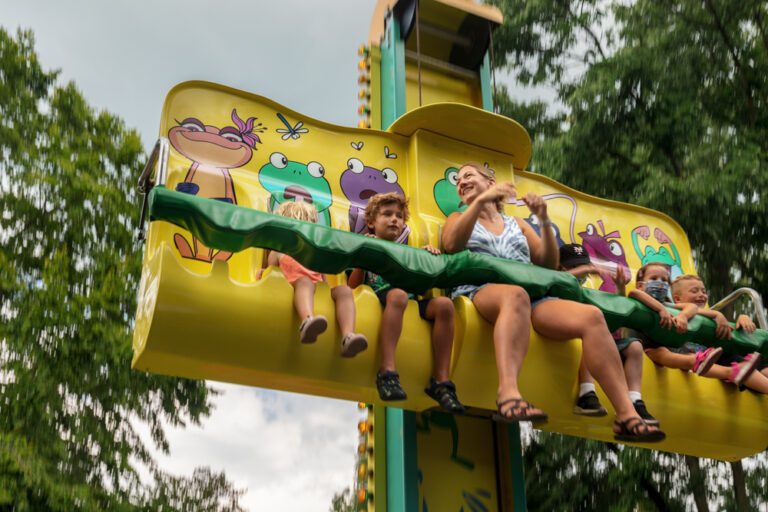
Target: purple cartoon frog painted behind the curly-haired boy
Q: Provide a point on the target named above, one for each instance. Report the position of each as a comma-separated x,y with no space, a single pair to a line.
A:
359,183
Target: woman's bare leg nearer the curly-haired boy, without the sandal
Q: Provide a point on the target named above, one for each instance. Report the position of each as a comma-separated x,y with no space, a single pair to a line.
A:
508,308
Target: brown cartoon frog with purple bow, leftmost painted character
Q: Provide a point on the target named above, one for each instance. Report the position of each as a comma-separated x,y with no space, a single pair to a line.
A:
213,152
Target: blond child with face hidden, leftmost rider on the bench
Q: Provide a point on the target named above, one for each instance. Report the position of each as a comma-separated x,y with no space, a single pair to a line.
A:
303,281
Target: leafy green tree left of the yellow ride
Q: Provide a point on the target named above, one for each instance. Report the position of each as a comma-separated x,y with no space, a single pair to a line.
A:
69,270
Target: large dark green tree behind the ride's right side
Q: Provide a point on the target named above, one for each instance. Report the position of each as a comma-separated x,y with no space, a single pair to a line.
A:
664,106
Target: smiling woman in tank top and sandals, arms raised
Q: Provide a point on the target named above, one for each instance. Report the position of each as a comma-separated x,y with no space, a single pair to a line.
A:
483,228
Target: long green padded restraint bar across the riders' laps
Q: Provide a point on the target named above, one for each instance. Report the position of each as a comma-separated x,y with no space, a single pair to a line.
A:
331,251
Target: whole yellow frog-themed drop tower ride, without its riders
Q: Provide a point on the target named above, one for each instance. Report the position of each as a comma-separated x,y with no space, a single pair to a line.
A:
226,158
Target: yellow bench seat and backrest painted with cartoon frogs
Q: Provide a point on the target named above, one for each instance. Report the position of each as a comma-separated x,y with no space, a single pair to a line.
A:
202,314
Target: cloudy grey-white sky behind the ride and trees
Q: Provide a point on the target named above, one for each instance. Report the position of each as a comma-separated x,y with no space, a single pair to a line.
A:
291,452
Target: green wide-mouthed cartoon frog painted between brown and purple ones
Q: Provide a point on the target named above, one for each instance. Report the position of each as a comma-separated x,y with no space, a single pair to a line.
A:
286,180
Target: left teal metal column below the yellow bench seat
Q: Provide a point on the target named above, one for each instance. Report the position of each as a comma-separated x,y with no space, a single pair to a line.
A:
402,466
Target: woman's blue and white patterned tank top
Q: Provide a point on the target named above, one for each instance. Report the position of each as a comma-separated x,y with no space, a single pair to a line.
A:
511,244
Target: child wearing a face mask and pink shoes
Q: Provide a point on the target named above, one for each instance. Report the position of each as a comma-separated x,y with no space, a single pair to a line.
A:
653,291
